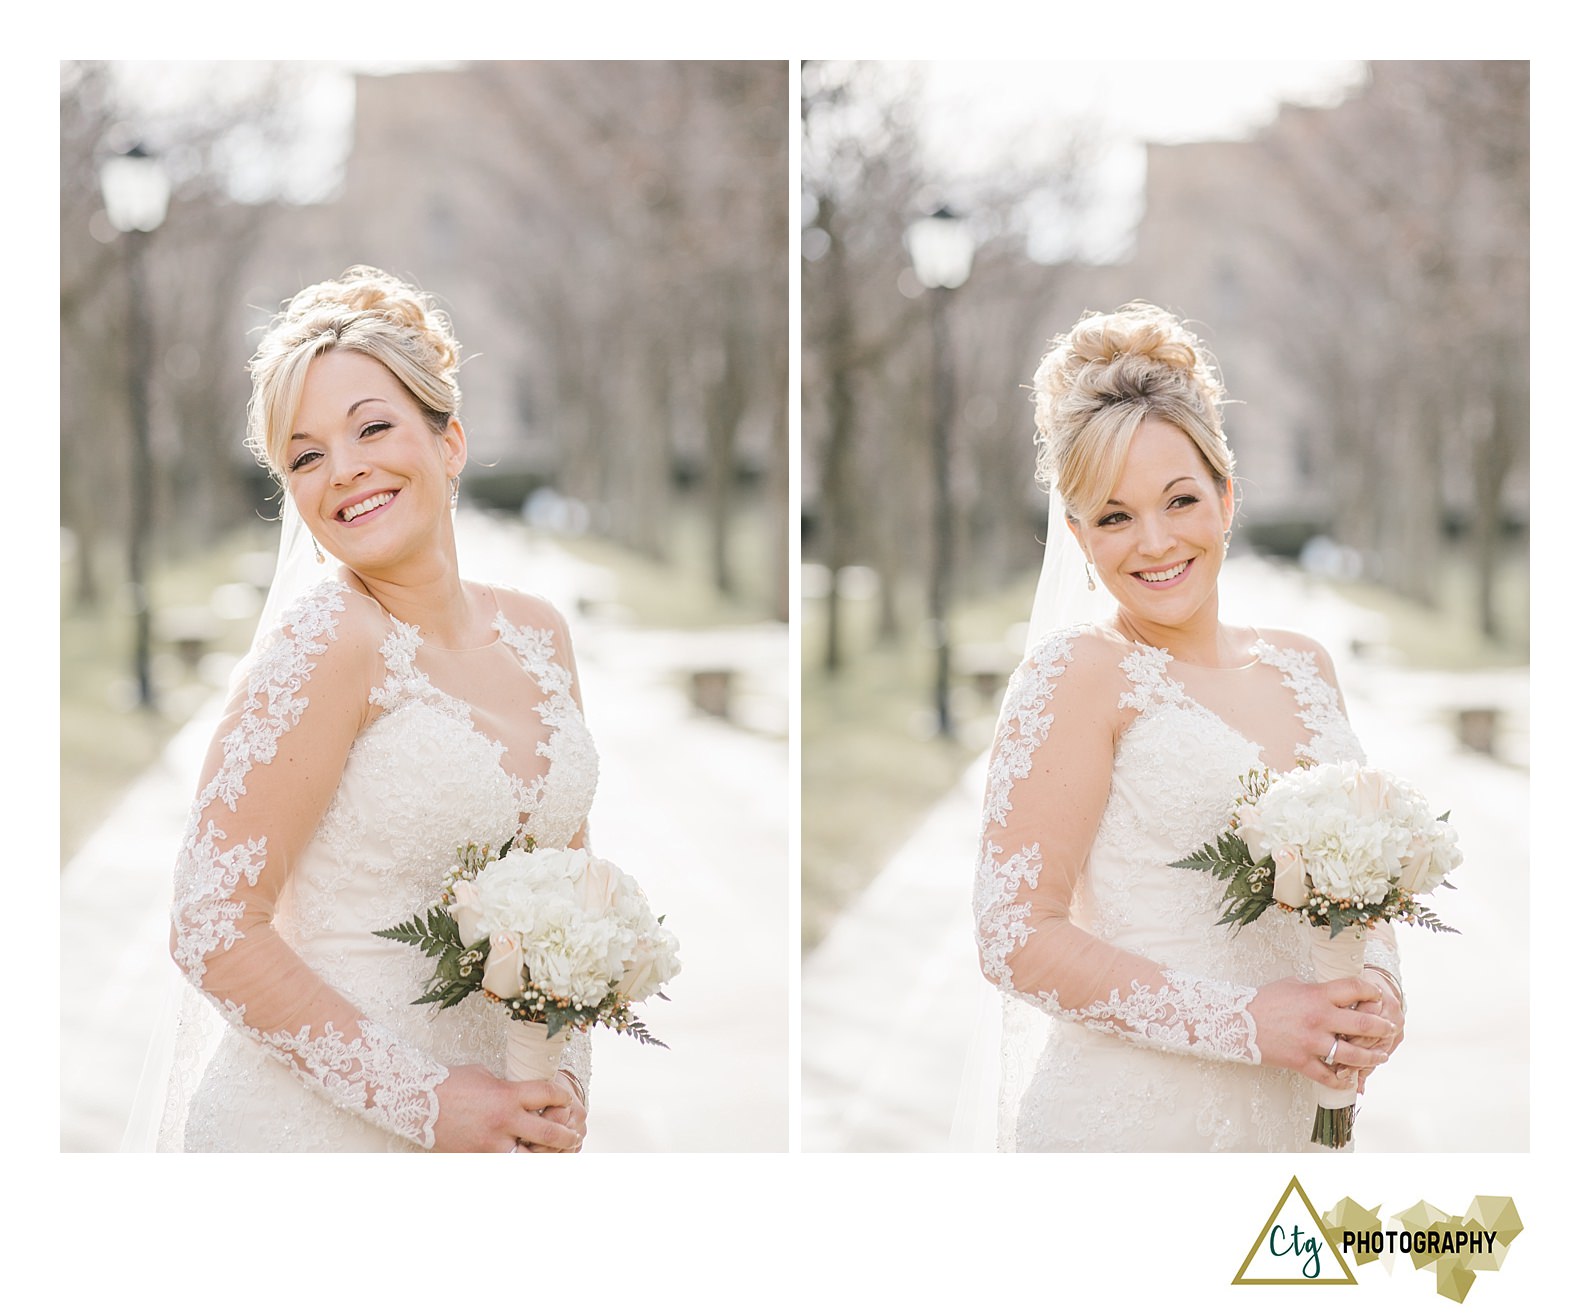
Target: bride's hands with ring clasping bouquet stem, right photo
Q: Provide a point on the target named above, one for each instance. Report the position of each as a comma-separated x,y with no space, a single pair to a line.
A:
1300,1024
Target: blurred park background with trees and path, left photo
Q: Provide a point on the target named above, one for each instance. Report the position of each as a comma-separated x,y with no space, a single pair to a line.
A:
611,242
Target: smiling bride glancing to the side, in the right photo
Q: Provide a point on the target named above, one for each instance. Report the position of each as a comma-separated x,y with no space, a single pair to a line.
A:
1134,1021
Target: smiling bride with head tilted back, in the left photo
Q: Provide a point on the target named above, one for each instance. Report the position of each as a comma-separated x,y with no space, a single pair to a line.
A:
387,716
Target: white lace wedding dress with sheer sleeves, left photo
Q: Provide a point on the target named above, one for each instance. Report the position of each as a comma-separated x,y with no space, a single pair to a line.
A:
352,764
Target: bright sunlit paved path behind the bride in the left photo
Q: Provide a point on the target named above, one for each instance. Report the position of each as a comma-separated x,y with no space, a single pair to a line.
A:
696,808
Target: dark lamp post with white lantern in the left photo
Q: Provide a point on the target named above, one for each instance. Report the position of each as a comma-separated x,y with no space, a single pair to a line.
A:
136,193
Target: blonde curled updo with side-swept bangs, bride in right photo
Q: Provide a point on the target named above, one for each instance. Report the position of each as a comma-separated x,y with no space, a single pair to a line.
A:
1098,385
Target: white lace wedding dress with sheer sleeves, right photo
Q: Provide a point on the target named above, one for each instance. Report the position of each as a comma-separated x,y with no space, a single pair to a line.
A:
1127,1015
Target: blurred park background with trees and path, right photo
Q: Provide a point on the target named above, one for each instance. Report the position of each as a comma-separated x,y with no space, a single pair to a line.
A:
1352,242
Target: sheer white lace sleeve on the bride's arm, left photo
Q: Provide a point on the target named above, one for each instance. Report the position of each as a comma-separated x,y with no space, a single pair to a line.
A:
273,769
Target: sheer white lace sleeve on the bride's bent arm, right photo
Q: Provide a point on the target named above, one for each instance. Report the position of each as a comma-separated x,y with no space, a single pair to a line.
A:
1047,789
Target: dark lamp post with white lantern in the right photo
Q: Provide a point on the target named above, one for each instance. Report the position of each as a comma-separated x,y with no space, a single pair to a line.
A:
942,247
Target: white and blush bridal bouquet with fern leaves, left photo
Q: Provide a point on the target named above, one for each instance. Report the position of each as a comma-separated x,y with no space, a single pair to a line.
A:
559,937
